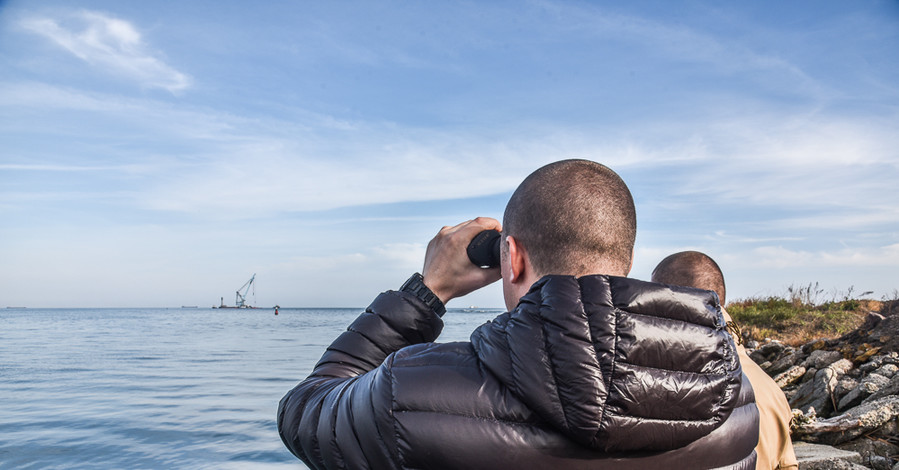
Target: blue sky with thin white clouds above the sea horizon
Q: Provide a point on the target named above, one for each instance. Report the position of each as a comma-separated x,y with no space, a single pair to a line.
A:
159,154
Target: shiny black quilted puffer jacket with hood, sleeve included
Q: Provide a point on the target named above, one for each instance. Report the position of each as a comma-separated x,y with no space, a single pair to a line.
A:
594,372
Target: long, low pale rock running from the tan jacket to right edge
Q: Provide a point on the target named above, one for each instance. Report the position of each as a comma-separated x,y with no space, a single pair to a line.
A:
878,416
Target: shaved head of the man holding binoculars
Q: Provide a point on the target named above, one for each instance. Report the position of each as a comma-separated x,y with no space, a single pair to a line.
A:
574,217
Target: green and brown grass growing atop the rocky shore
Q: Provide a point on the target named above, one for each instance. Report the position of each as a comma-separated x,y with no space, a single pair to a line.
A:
800,315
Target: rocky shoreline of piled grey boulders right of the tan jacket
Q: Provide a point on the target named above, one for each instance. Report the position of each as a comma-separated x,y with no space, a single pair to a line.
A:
844,393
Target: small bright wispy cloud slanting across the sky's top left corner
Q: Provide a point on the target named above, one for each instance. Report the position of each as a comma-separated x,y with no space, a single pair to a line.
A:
109,43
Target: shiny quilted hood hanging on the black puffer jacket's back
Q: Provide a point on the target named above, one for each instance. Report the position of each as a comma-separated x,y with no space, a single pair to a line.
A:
616,364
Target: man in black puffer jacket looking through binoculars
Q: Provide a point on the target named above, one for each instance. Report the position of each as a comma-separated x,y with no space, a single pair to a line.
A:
588,369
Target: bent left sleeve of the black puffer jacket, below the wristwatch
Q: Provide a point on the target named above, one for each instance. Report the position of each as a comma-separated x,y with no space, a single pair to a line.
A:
341,415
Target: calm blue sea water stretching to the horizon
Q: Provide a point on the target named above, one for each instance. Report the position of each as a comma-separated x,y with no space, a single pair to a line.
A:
160,388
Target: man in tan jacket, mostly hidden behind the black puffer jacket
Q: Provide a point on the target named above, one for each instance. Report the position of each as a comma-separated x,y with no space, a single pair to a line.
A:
775,448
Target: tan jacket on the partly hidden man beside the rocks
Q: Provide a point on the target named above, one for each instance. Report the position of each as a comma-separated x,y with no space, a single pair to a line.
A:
775,448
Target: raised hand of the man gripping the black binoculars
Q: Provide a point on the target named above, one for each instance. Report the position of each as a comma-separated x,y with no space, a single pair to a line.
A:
448,272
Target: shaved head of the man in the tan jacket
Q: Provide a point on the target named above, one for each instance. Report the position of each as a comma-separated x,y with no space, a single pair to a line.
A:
691,269
